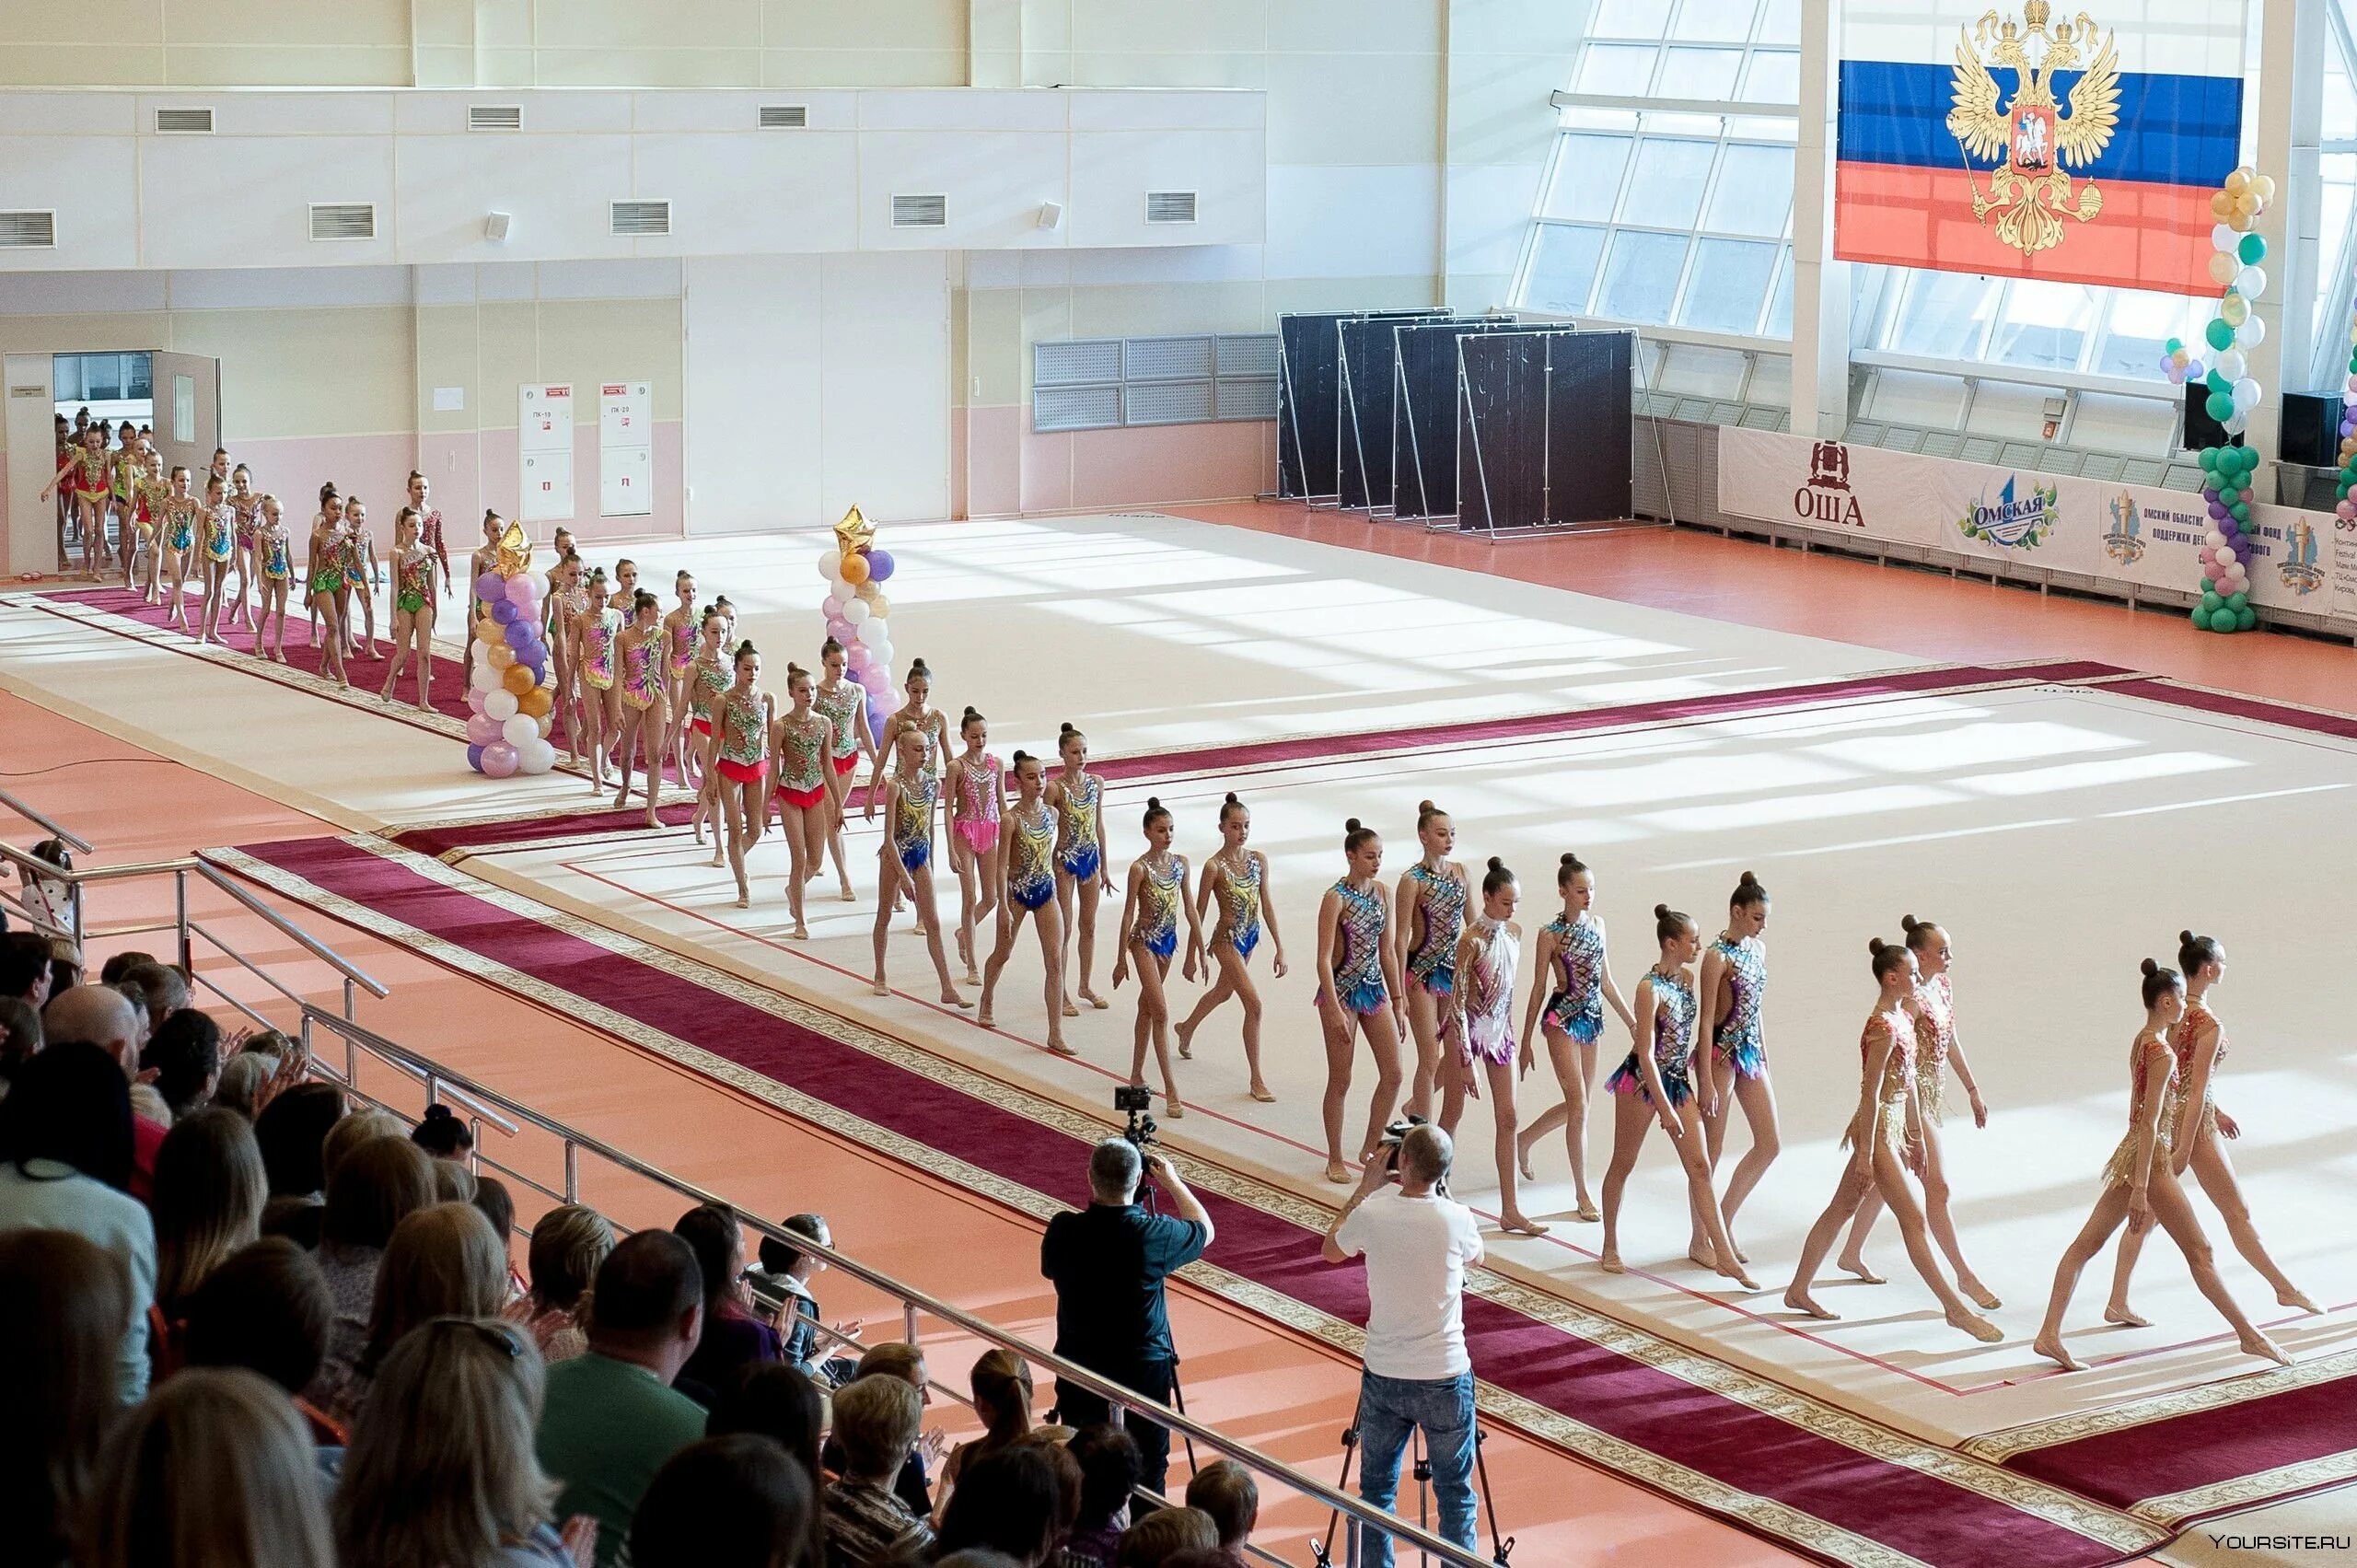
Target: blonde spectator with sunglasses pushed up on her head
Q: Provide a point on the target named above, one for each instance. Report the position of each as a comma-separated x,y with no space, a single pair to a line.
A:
442,1465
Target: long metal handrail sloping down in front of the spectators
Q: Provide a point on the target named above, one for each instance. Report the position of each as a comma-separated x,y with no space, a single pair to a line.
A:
913,1303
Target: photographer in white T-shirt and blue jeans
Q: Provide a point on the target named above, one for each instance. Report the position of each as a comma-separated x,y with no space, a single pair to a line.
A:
1418,1244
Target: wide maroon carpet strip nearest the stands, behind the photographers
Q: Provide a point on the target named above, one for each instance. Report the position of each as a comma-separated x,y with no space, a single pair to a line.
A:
1767,1456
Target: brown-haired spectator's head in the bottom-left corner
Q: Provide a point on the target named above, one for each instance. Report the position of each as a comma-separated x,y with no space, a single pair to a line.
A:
65,1305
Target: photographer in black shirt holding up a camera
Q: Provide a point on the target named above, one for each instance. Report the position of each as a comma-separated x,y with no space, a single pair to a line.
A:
1109,1263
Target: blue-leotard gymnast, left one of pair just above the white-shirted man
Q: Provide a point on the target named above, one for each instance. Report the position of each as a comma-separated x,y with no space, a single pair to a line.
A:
1359,994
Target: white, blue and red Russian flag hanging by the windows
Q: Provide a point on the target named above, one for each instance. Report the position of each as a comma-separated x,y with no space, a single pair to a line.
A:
1906,183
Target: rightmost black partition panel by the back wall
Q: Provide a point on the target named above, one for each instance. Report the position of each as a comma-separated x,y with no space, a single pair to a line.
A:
1547,430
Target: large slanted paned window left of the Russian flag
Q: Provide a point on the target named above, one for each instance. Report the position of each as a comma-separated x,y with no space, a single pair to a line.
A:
1651,211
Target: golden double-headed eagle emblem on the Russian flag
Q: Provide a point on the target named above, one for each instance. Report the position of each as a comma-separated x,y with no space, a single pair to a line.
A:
2028,138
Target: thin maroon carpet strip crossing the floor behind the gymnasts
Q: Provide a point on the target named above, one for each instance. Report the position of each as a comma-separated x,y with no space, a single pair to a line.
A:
1262,753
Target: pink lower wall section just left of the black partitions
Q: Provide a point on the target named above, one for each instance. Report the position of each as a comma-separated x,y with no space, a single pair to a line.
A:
1010,468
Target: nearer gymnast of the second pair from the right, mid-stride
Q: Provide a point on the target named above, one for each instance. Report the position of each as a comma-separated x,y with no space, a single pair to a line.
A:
1880,1147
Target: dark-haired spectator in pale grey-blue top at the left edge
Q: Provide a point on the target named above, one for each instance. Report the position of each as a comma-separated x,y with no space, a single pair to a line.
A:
65,1166
